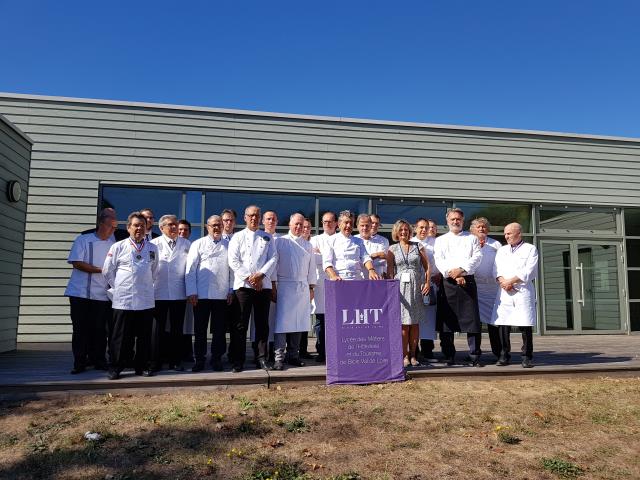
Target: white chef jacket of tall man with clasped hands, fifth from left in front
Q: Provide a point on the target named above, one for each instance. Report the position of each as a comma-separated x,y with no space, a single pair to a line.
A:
249,253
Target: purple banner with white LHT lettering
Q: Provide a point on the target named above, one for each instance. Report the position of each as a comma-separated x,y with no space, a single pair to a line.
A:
363,332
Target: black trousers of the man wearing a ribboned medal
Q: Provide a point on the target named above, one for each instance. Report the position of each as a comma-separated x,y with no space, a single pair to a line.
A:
129,328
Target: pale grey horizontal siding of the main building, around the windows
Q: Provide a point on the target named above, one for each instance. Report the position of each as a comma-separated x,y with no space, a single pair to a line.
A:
80,144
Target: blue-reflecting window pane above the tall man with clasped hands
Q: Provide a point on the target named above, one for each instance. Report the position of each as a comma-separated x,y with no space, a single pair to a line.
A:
283,204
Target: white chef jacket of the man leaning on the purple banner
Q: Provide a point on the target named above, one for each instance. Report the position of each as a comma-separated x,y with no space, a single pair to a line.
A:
347,255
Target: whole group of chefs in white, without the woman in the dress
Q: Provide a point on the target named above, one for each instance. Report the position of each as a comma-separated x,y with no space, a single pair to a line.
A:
133,294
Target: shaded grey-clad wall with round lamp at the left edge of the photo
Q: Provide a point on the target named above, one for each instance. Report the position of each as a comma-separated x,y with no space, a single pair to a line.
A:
15,158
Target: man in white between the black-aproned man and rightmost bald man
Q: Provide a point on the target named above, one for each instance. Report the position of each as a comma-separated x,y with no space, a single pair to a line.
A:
485,280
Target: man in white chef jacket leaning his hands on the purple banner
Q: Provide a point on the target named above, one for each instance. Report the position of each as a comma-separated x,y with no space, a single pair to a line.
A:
346,257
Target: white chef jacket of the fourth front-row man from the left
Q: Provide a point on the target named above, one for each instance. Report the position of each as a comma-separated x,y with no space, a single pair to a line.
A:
207,271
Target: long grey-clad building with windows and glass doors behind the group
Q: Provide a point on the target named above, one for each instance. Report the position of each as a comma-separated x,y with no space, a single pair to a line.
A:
577,196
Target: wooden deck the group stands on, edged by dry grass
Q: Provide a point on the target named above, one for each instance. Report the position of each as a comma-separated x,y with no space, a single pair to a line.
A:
45,367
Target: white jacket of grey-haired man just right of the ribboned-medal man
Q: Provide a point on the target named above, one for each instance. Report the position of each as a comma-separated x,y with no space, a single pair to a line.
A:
172,264
